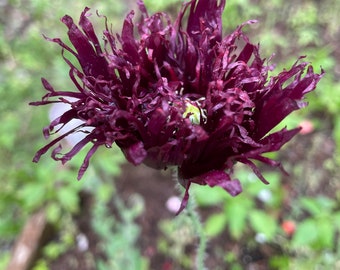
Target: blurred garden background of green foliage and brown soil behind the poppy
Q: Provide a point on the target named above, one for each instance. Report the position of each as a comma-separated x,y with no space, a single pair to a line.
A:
119,216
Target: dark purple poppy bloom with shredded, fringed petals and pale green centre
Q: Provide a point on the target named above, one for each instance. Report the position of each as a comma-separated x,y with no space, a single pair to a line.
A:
176,94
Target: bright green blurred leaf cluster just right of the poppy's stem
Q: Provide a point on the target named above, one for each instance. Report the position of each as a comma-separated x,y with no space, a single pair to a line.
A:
241,214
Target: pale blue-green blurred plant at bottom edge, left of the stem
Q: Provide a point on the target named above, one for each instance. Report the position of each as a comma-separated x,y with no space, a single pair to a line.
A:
119,235
